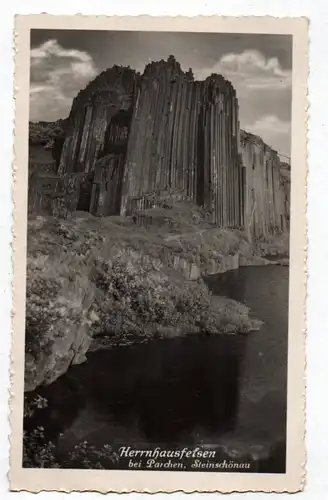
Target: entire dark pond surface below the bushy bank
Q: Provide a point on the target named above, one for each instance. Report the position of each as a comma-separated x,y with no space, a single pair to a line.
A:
225,391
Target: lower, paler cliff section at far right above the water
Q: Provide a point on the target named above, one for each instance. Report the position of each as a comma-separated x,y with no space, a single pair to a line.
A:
266,193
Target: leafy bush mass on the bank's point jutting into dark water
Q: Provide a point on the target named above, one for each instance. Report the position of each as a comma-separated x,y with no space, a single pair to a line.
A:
136,299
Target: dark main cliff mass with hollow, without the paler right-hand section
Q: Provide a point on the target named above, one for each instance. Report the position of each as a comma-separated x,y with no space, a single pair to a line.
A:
159,131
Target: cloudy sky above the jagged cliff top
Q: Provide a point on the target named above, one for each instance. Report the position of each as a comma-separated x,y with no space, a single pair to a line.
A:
259,66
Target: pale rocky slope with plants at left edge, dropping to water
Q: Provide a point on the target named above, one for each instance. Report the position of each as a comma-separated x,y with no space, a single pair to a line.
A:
59,296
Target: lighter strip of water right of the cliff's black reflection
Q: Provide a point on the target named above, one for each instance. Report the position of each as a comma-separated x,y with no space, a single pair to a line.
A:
263,386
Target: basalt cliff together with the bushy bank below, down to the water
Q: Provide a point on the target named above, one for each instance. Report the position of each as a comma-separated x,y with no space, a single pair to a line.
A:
152,186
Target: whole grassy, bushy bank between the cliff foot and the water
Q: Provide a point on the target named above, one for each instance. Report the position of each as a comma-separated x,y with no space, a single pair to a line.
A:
108,277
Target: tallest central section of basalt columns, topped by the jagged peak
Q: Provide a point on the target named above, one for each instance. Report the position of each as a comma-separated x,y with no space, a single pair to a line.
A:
161,153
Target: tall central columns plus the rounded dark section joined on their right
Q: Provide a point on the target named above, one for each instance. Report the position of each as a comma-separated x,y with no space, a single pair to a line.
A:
184,136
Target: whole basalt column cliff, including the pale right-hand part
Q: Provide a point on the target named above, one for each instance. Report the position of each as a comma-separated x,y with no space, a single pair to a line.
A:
129,137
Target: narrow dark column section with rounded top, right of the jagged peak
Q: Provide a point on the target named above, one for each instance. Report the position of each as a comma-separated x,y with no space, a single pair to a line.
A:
222,180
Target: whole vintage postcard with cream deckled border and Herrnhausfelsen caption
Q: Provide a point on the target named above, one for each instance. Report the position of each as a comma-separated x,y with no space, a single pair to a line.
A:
159,187
